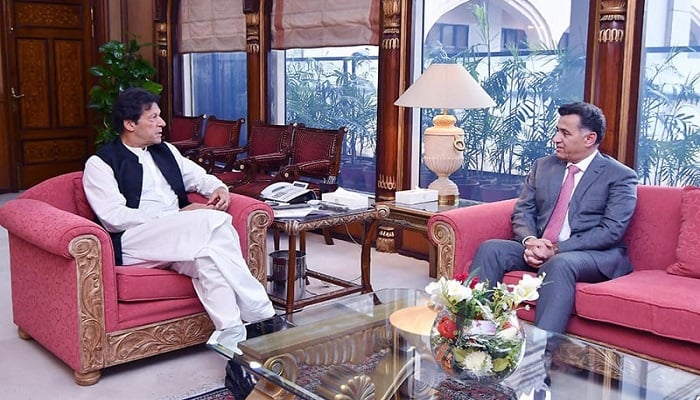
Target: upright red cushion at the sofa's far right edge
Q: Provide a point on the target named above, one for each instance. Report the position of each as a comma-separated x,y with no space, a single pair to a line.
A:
688,250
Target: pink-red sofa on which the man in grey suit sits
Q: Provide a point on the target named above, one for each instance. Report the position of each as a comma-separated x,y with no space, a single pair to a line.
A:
648,312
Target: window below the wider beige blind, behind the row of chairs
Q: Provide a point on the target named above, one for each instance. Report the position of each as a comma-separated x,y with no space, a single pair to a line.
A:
329,88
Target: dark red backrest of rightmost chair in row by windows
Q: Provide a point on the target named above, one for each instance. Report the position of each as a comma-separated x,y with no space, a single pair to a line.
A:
313,144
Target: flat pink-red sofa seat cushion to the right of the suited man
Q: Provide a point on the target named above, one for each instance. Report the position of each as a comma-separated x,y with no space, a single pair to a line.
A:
650,300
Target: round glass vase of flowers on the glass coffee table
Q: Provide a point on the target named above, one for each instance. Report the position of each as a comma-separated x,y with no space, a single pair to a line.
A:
477,349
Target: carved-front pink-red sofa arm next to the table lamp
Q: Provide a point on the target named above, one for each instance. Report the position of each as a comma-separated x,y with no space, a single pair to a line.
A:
458,233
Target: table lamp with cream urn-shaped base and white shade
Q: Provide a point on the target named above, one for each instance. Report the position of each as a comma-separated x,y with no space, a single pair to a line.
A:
444,86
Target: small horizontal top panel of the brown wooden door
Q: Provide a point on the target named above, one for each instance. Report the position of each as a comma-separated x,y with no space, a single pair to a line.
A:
55,15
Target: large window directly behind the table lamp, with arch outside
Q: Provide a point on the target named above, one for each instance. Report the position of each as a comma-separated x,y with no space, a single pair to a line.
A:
528,85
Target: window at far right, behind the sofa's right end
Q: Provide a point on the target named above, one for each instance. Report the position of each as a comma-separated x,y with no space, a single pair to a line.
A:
668,147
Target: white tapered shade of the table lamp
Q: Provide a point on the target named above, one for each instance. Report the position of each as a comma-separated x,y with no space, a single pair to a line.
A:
445,86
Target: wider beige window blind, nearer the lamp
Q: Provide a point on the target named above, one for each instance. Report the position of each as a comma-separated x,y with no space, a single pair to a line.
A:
325,23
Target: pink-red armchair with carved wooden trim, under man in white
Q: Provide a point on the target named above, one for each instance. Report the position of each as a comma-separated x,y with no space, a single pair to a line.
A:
68,295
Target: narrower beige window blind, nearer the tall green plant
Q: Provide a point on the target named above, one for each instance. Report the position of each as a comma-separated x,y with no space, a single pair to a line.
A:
211,26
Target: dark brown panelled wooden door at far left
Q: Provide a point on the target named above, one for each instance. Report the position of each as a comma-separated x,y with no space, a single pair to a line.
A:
49,52
